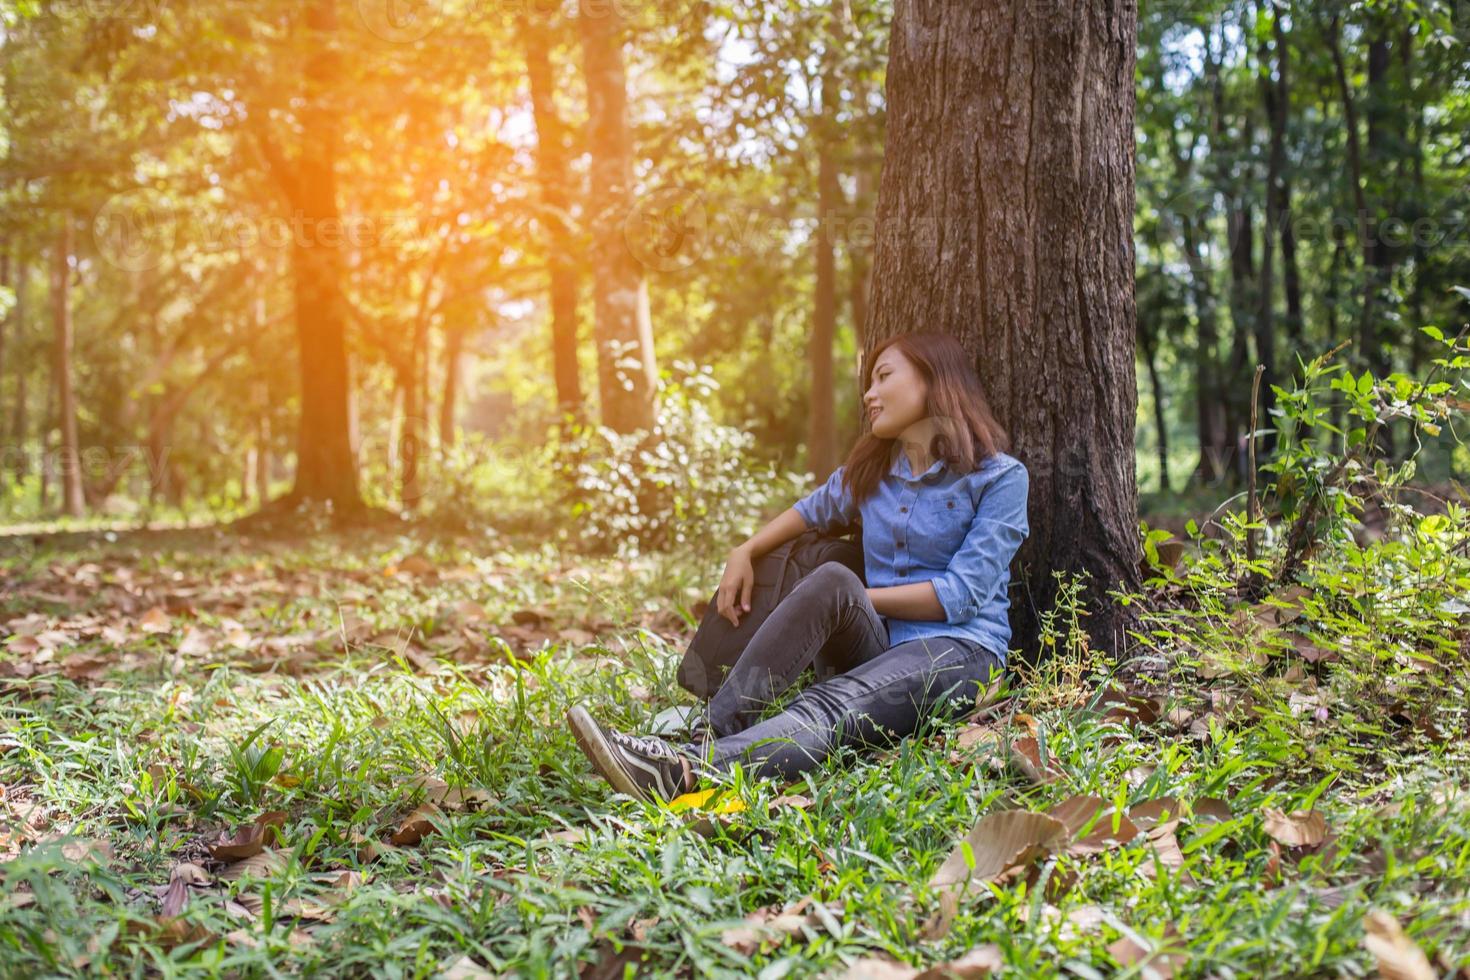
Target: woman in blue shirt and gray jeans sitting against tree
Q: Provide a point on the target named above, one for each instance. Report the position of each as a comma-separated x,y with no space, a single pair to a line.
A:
943,512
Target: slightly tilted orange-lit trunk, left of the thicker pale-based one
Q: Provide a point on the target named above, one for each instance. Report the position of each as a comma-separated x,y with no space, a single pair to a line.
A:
555,176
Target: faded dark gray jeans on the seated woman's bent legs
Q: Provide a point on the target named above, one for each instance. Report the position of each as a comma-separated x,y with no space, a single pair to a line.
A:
867,693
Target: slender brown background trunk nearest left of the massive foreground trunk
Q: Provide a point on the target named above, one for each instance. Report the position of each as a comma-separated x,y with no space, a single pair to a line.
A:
822,415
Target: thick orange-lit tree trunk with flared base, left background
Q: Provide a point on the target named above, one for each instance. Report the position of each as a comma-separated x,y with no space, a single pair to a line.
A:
326,464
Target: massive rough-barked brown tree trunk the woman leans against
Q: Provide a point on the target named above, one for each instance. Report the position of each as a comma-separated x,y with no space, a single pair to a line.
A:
1006,218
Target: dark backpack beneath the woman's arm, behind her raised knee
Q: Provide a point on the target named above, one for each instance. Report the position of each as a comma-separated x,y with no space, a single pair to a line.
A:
718,646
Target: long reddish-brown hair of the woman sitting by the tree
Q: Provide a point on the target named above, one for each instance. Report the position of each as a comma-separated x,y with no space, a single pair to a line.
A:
956,400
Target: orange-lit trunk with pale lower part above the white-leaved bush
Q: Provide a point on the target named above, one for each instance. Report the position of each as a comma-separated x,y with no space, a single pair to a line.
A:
627,375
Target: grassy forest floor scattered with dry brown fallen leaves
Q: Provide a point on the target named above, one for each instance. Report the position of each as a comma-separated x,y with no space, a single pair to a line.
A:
346,756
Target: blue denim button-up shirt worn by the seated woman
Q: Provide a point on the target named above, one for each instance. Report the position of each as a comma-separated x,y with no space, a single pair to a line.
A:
959,531
